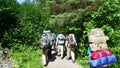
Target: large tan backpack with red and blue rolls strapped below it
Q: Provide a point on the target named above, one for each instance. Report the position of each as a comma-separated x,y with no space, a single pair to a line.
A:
100,54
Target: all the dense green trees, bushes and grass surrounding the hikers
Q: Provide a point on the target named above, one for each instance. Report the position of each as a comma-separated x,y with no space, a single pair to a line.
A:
21,26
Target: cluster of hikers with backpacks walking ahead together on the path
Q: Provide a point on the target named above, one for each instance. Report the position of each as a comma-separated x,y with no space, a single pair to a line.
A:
58,43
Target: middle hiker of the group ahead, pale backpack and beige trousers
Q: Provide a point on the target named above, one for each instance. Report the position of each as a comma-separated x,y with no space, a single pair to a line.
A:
60,42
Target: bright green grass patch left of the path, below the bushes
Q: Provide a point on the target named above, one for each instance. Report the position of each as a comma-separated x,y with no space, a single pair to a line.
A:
27,57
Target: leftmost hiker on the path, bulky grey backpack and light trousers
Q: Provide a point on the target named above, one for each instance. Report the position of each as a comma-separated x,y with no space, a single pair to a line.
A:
44,45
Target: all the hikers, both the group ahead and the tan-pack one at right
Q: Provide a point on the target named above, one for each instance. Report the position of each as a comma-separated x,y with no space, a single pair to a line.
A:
99,53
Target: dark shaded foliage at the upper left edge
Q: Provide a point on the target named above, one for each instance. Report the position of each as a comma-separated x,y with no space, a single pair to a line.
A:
8,16
